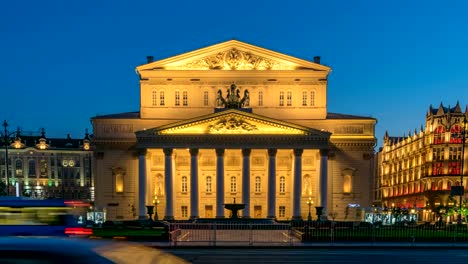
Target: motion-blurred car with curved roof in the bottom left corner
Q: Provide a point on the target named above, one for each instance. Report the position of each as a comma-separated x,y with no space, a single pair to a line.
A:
53,250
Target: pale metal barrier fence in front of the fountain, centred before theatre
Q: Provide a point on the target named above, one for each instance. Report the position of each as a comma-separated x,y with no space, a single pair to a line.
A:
216,234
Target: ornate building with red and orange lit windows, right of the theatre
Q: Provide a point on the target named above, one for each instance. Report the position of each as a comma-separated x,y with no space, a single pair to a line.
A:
418,171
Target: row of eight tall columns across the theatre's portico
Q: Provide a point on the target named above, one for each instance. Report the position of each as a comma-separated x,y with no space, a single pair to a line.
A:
194,195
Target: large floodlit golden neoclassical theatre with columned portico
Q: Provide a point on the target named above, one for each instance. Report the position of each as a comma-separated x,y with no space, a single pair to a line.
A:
233,121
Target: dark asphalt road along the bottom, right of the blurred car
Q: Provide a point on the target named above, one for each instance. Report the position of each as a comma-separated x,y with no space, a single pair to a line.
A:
307,255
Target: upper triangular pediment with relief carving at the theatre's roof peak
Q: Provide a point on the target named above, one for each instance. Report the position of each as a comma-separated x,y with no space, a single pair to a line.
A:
232,55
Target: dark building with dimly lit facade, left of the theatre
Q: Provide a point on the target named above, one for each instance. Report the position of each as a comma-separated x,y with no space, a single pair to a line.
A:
42,167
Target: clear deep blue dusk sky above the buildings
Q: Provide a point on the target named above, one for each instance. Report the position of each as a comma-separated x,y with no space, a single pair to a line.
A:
63,62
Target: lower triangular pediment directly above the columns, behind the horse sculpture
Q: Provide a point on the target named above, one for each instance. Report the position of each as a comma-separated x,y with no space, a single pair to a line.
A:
232,122
